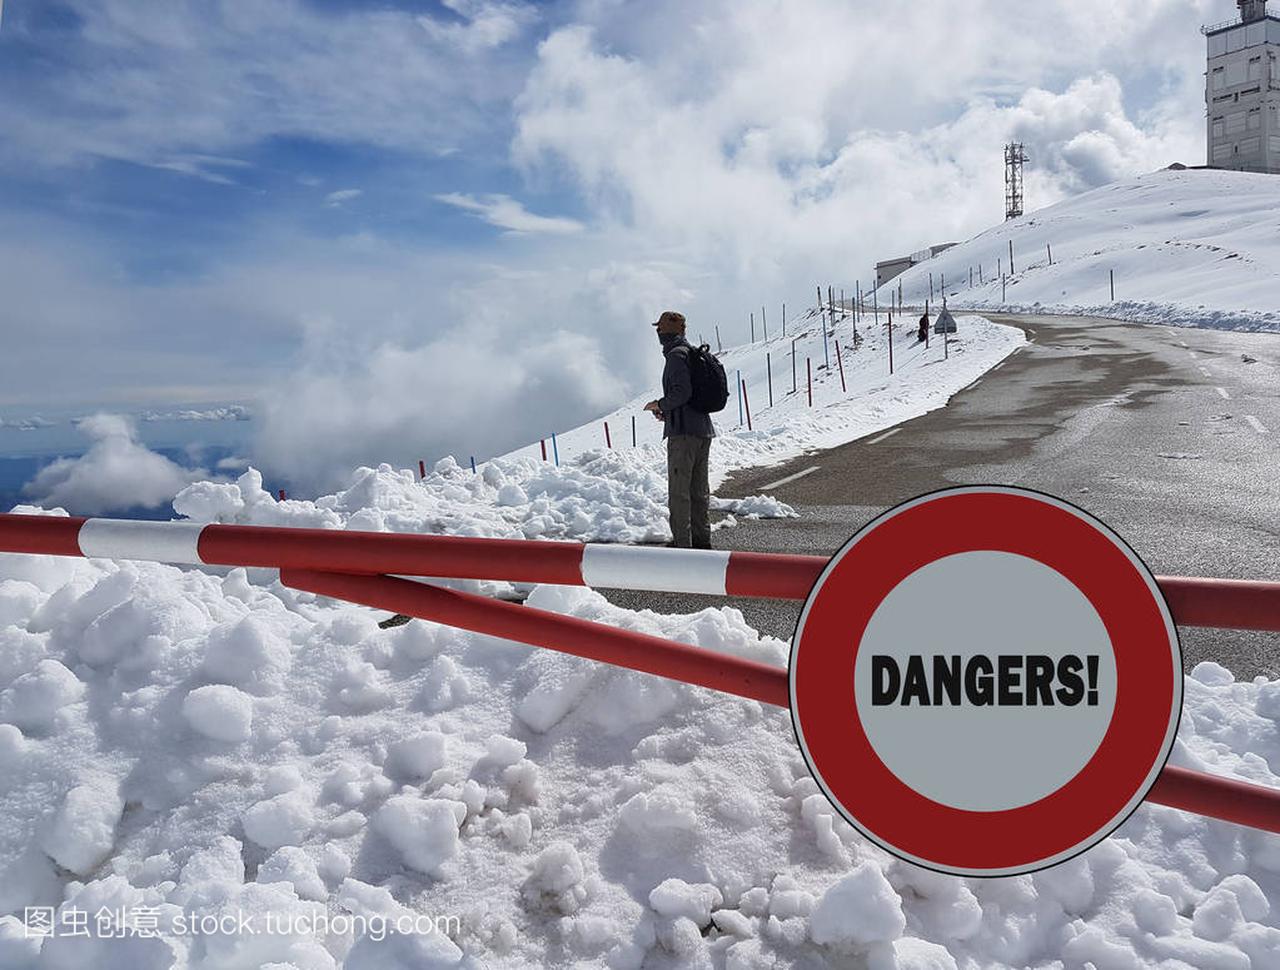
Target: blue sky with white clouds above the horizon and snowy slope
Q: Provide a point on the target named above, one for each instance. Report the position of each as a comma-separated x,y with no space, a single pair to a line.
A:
319,207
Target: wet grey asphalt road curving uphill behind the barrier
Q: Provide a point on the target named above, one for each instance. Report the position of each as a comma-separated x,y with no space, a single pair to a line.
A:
1169,436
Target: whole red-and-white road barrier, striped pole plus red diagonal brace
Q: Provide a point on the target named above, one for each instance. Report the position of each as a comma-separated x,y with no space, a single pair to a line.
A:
349,566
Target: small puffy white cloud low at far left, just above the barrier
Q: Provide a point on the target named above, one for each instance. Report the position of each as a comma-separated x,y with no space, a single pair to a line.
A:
117,473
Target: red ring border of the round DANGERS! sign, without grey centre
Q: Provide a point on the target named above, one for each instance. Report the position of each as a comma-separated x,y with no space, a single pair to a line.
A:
1099,562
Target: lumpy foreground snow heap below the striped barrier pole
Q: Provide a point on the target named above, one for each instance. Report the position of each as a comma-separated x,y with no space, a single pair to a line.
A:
423,798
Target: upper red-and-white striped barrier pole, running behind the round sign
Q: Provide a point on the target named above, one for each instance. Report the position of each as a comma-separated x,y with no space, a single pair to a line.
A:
1233,605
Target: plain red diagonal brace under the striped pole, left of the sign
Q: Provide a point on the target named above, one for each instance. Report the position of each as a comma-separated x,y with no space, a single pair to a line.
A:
554,632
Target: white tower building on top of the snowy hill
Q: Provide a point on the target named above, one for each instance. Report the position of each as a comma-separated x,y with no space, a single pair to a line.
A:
1242,91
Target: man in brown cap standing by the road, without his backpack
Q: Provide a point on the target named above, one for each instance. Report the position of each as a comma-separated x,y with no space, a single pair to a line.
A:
689,434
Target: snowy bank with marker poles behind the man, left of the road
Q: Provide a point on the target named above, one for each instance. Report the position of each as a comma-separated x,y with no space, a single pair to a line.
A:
865,401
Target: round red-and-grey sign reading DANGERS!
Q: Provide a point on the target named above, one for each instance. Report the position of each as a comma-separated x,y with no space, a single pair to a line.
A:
986,681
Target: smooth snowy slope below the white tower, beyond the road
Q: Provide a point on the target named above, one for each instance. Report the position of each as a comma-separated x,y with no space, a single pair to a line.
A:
1188,249
